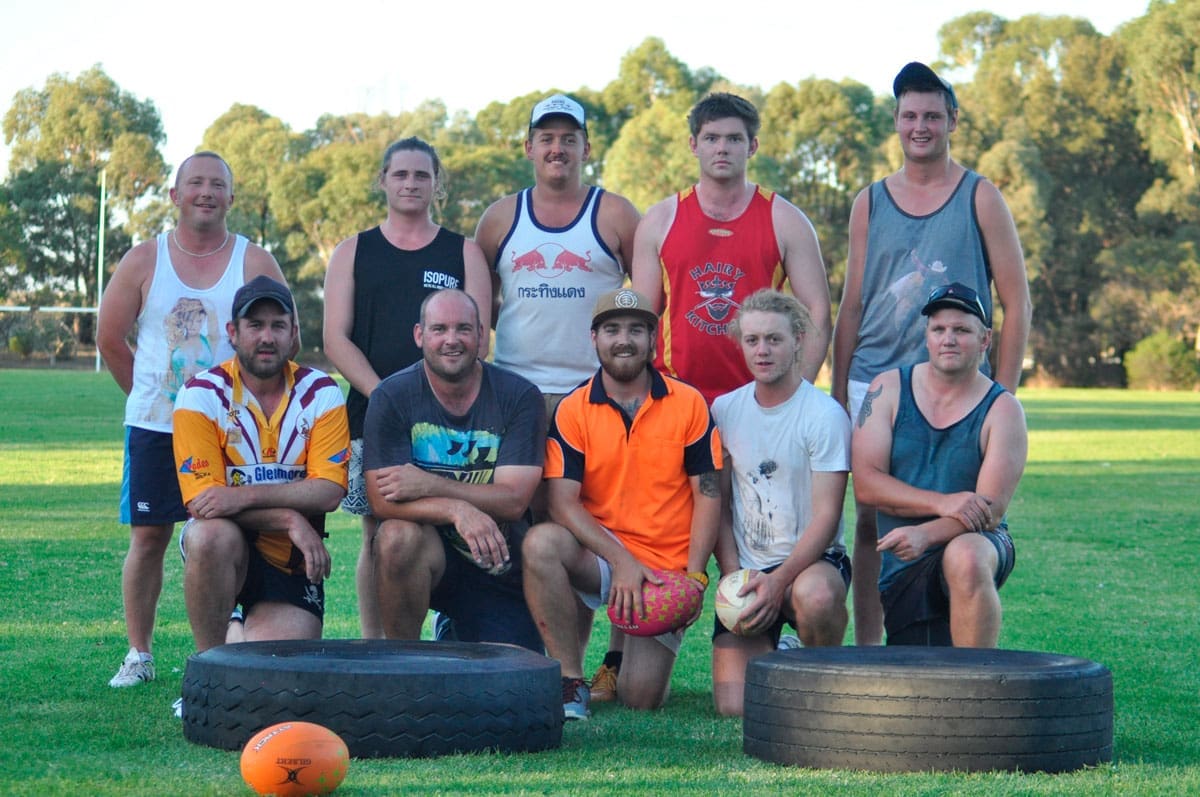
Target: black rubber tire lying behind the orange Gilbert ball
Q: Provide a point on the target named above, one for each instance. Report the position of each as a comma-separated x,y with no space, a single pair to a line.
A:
386,699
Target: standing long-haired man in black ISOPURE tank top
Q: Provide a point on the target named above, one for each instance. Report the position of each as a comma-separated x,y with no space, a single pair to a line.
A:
375,285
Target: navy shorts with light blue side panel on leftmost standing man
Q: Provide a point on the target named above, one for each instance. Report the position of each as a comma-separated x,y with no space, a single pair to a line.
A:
149,486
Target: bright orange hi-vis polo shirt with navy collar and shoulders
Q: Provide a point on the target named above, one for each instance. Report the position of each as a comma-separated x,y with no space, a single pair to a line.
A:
634,474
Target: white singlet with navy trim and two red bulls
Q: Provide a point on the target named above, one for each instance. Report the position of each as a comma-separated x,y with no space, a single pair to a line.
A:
550,280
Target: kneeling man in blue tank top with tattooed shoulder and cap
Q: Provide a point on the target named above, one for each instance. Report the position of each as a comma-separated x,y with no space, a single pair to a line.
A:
939,450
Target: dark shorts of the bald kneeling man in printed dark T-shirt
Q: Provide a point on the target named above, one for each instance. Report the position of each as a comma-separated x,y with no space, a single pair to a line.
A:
485,608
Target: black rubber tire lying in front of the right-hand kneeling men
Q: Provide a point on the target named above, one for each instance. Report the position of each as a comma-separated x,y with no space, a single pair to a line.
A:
919,709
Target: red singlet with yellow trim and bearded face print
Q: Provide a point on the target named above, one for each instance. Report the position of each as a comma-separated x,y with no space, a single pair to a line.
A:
709,268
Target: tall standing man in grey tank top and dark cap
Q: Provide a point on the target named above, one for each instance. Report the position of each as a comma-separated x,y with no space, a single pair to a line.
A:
931,224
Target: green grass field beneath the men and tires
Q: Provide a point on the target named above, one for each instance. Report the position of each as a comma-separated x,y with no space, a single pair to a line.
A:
1105,522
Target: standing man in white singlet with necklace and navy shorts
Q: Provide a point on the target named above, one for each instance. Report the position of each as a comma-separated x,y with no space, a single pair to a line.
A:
177,291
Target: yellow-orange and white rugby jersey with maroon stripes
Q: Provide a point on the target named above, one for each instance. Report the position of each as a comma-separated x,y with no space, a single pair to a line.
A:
223,439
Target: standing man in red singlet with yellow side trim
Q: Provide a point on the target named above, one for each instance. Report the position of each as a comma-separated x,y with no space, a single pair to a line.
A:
699,254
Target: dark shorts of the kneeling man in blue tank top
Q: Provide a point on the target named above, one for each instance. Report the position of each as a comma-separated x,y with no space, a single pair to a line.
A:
917,606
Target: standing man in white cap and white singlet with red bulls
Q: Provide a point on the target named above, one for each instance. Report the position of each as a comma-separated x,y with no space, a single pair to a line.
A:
555,249
